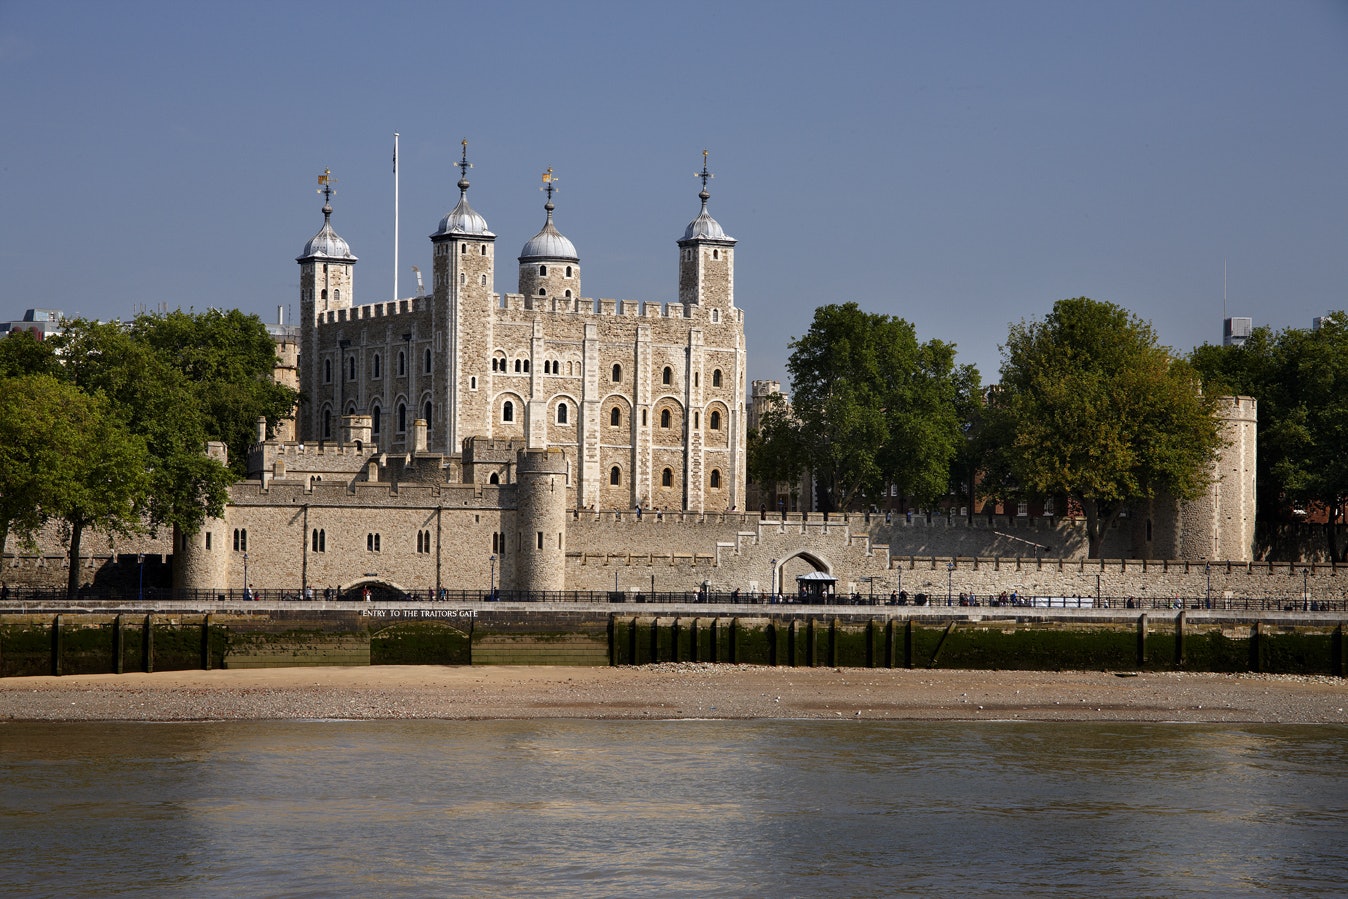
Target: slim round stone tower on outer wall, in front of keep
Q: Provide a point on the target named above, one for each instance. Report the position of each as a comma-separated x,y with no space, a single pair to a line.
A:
541,521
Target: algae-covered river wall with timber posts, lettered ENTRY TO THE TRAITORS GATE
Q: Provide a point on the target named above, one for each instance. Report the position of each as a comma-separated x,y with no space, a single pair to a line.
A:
98,642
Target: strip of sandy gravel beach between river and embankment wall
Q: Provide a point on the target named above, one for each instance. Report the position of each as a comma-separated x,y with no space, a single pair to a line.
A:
680,691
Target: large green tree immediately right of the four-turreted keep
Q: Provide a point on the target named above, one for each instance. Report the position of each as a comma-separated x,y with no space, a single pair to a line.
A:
871,406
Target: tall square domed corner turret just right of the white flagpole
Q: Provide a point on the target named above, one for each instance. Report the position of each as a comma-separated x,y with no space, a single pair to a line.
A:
464,278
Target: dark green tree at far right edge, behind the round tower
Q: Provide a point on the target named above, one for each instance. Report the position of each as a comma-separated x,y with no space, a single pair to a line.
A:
1300,378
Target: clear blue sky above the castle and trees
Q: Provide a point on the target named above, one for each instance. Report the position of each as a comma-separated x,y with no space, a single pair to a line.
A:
962,165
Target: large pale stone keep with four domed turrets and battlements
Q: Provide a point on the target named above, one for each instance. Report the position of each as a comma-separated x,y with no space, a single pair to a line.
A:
644,400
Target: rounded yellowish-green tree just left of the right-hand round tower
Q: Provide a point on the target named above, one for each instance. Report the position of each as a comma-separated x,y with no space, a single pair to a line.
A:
1091,408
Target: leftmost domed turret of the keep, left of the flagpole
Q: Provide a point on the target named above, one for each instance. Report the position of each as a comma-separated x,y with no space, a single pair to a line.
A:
327,284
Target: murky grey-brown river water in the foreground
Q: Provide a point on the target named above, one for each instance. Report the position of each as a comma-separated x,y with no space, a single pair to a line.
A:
672,808
